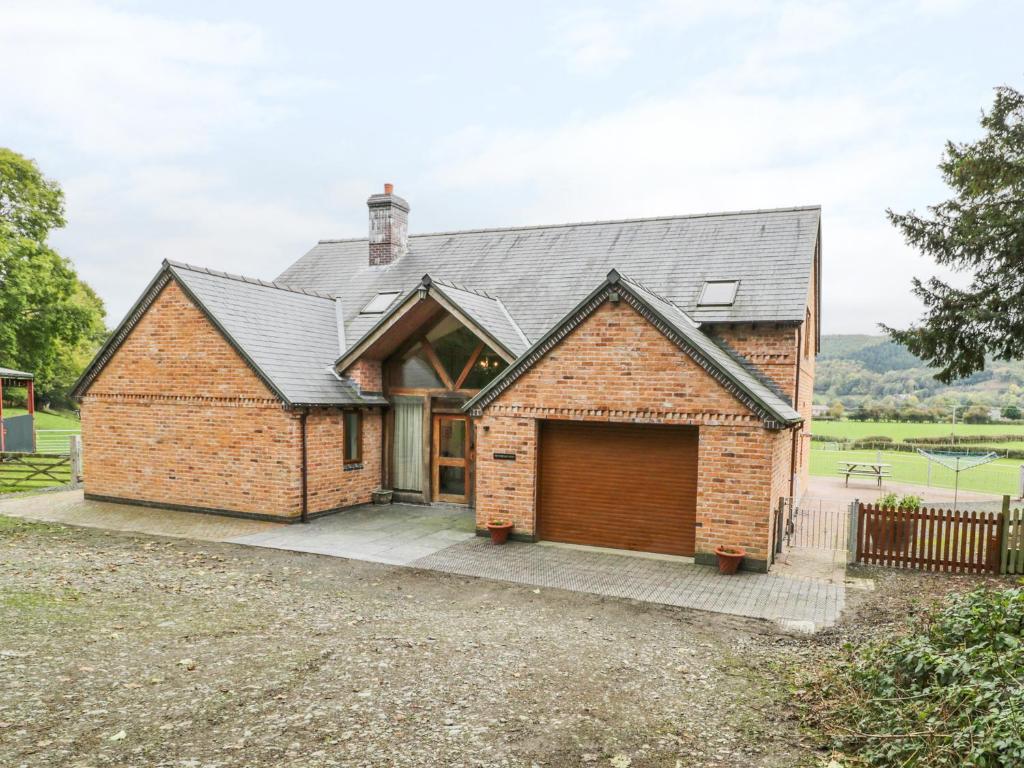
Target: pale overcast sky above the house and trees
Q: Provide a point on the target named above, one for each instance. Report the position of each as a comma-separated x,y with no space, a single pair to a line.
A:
235,136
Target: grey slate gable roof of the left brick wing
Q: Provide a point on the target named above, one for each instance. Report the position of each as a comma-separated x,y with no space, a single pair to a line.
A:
289,337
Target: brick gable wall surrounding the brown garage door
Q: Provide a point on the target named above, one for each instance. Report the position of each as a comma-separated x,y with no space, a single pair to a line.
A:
617,367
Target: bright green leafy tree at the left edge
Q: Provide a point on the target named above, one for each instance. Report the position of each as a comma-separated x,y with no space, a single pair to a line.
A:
51,322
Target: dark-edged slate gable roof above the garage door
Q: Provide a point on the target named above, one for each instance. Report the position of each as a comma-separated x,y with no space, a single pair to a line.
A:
678,327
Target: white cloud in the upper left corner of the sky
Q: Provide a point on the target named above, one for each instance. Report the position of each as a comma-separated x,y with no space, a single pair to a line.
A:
123,83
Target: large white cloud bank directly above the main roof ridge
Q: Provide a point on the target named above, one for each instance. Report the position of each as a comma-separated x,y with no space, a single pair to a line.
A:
712,151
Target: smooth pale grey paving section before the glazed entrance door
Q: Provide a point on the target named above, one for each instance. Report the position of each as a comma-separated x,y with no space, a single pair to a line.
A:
397,535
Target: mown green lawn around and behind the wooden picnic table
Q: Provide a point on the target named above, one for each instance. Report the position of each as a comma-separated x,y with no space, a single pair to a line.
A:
1001,477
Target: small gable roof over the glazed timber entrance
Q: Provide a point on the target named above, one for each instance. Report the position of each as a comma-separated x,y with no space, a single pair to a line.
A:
484,316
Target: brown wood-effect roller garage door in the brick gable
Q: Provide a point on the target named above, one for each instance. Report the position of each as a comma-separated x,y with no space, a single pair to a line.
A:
622,486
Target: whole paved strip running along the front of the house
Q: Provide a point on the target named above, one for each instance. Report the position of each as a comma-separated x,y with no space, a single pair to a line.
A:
442,538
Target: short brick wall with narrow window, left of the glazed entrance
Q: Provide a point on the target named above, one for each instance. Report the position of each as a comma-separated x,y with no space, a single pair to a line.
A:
330,485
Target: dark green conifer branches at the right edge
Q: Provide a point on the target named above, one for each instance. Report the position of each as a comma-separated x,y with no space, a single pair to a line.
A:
982,232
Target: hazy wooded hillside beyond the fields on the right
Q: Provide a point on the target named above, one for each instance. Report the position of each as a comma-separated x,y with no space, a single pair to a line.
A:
855,368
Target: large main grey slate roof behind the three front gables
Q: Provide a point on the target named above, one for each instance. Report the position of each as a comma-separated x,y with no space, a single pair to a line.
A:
541,273
